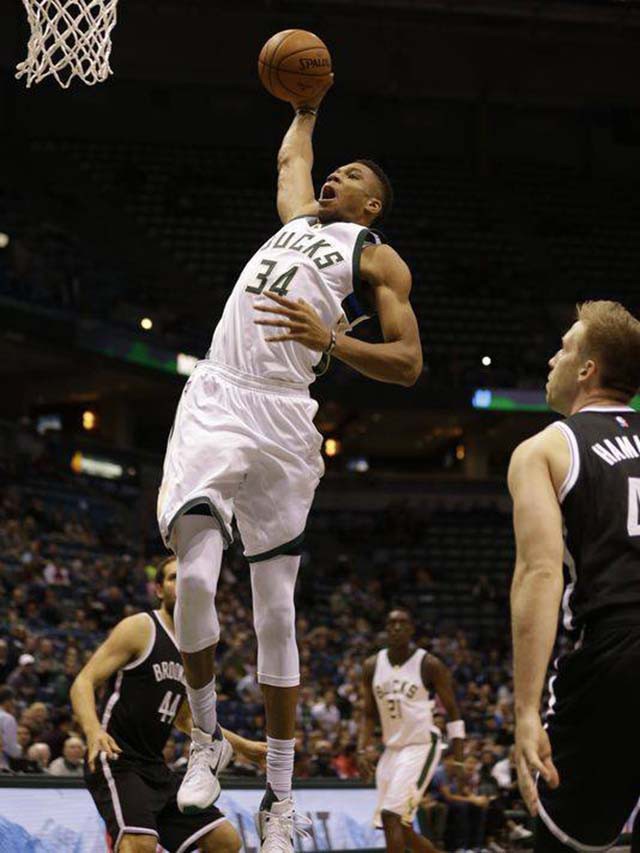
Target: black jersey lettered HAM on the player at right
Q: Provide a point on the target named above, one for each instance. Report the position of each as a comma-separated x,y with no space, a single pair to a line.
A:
601,508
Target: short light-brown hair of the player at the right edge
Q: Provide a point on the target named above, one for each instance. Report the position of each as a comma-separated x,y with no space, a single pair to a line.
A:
612,335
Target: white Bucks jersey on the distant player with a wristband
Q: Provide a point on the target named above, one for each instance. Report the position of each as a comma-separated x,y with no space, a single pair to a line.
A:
403,701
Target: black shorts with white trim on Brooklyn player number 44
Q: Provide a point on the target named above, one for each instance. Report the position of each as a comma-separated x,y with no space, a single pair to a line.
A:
140,799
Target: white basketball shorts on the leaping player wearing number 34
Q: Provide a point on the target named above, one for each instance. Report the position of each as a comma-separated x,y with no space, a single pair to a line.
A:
247,447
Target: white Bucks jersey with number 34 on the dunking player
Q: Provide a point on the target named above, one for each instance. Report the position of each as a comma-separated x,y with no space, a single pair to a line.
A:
304,260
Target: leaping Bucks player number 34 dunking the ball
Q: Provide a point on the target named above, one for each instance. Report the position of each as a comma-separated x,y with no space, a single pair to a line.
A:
244,444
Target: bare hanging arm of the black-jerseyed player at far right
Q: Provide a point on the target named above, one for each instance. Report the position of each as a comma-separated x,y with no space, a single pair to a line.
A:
536,593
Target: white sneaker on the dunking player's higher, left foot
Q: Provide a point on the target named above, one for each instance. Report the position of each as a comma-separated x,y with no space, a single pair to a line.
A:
208,756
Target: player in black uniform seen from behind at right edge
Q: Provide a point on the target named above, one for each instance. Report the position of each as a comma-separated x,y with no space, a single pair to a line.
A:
576,494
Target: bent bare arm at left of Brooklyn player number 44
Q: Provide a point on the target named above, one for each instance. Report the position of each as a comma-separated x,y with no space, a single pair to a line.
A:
125,643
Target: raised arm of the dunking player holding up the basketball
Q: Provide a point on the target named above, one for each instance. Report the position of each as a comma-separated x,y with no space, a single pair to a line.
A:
295,162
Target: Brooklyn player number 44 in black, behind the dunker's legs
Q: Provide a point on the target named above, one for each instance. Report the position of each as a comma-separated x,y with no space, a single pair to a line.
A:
133,789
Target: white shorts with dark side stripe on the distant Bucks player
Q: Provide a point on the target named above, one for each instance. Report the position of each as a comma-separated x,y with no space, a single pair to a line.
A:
402,777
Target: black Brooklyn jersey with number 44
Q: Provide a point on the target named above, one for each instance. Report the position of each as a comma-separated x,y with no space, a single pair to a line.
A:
143,698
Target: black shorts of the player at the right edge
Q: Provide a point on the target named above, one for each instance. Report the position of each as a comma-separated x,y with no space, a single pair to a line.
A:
593,725
